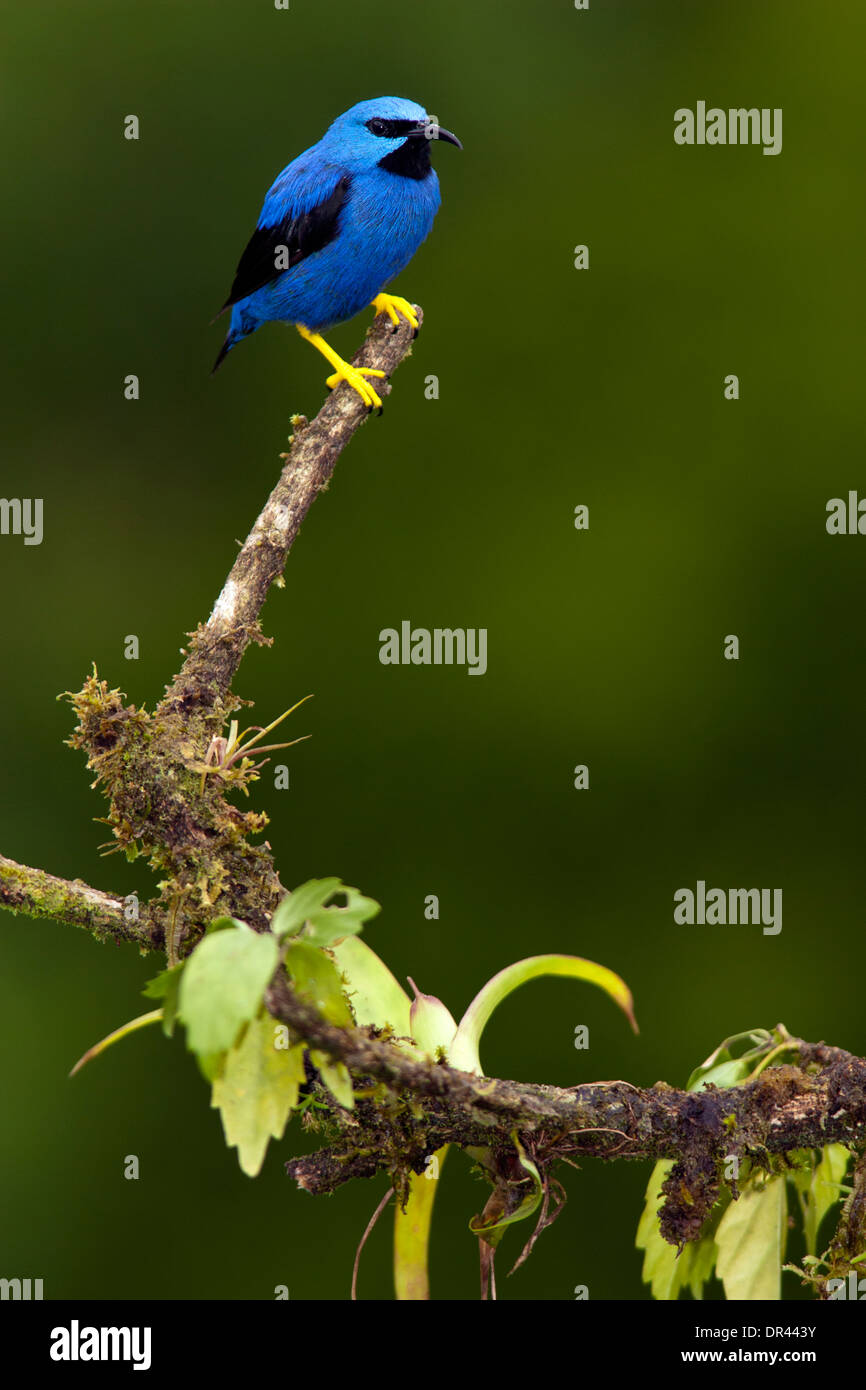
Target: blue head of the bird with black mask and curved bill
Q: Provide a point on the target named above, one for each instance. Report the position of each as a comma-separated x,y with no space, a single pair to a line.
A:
390,133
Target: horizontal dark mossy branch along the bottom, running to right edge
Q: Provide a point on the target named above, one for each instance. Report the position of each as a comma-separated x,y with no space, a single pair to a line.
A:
821,1100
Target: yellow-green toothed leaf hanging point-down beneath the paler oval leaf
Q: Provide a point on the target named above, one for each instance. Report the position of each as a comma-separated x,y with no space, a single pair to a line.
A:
258,1092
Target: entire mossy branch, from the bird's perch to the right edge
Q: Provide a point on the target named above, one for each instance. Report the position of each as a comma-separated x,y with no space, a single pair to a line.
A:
168,803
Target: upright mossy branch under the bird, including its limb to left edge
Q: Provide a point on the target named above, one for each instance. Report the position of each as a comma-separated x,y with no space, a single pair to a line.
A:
151,765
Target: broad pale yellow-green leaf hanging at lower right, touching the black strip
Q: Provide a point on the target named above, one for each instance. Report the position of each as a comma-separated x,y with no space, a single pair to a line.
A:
751,1241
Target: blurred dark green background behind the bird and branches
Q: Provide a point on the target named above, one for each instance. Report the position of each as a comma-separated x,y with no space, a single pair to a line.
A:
558,387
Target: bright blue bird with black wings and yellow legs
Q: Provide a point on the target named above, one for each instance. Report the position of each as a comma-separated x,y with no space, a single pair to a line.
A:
337,226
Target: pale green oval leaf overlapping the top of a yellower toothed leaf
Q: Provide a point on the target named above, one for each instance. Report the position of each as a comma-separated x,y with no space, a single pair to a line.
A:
223,985
